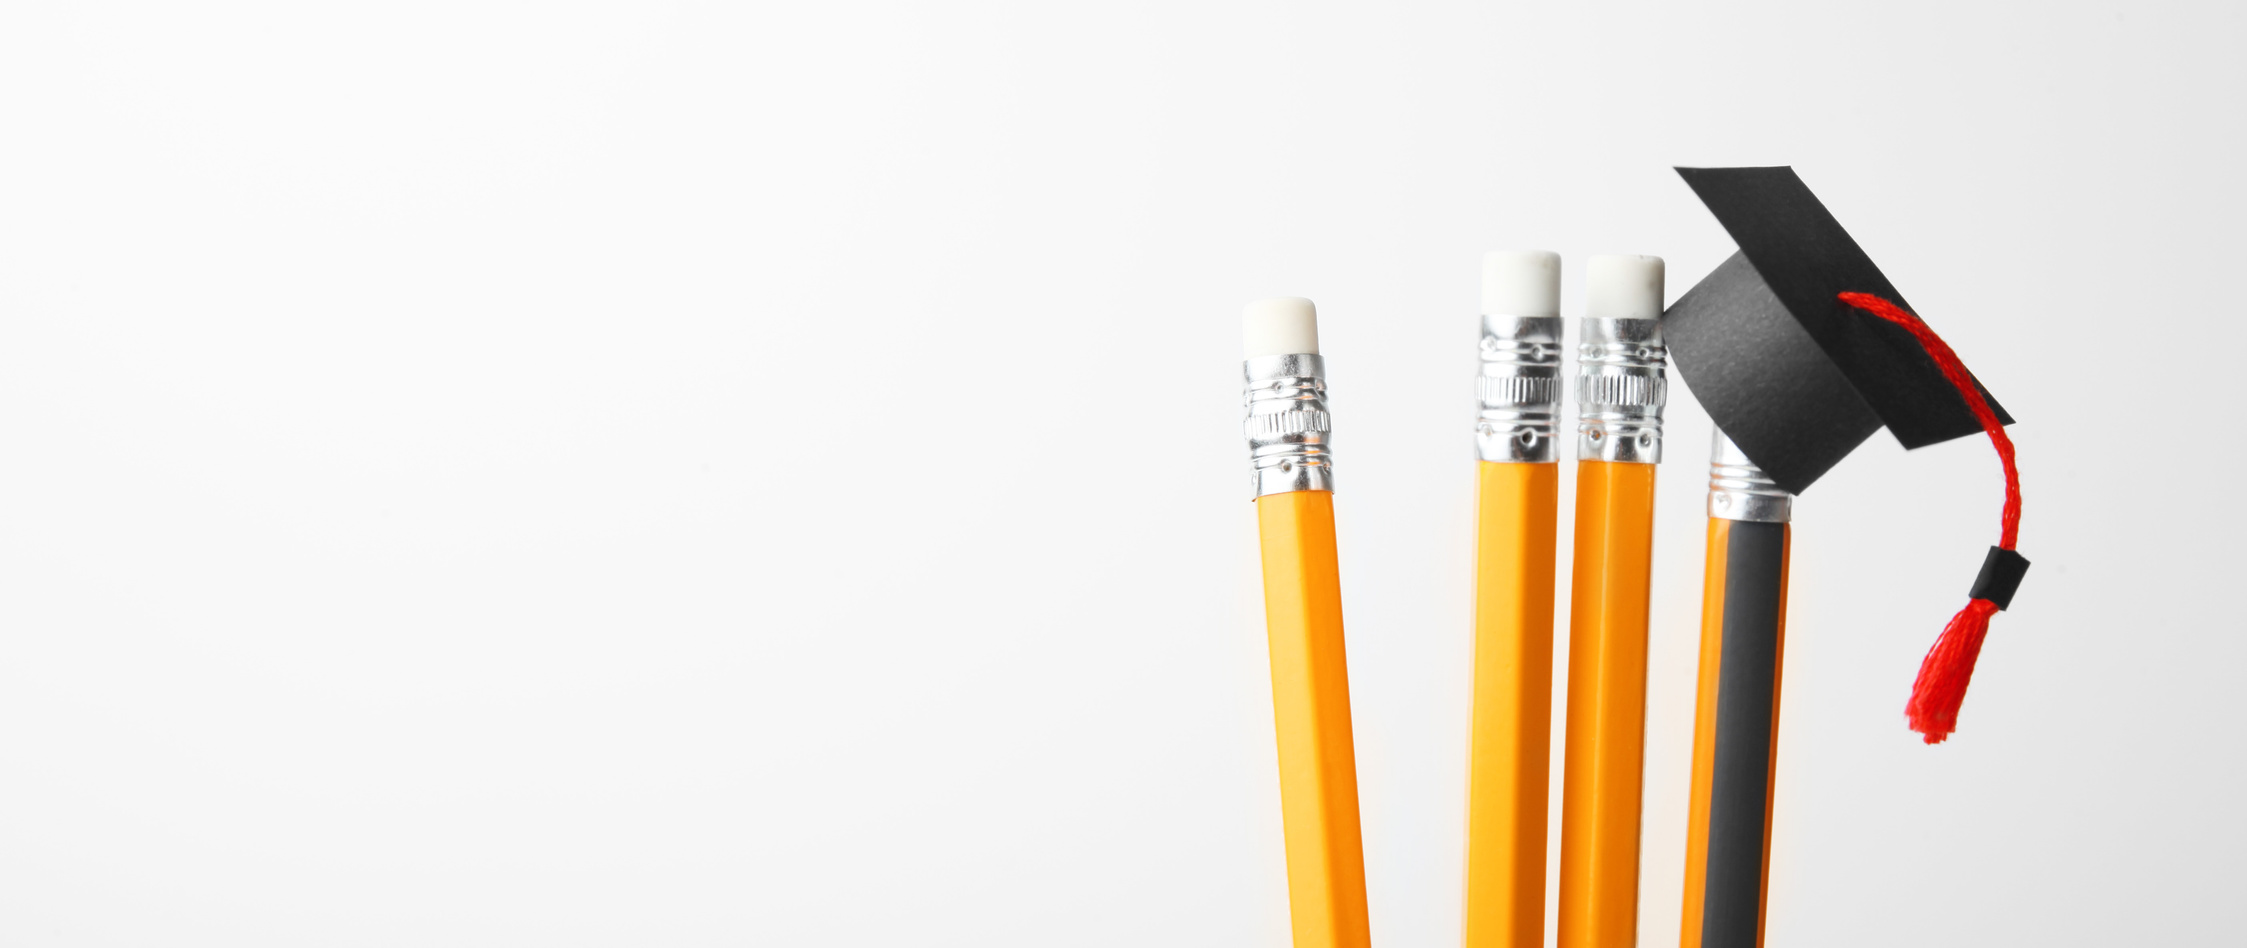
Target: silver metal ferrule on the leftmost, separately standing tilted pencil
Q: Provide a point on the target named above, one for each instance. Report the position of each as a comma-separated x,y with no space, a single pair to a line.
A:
1289,426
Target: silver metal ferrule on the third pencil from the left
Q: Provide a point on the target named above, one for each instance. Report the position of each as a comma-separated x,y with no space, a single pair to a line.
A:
1621,390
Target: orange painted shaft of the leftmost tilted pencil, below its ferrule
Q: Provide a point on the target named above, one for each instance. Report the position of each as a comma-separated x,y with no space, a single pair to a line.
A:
1311,698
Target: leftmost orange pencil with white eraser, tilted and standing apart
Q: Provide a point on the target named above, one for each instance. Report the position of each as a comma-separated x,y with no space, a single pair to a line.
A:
1311,691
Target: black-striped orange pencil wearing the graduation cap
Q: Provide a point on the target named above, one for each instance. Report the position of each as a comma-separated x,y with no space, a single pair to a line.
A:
1738,704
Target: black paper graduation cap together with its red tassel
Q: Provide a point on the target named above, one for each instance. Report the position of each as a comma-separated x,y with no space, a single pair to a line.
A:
1801,352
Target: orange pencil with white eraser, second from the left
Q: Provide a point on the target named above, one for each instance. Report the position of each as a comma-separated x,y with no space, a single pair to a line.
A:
1516,511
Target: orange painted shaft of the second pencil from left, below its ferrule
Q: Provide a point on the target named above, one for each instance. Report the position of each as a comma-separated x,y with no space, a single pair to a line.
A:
1513,704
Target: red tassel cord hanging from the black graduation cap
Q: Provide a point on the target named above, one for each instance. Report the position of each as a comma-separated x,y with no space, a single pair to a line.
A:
1943,677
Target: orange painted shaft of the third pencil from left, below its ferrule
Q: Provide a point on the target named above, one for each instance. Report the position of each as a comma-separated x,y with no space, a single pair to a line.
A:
1608,707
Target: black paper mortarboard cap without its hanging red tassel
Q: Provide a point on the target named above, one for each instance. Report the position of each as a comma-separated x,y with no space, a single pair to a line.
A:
1790,372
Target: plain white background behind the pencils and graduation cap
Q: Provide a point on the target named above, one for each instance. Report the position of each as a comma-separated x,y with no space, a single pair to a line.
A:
718,475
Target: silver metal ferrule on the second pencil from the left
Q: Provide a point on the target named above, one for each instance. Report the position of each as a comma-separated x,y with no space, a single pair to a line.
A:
1520,390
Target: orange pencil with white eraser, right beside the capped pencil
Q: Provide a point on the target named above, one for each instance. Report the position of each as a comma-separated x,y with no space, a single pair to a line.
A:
1621,394
